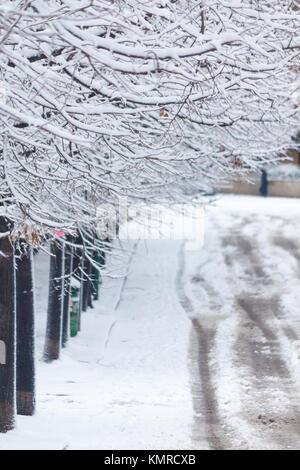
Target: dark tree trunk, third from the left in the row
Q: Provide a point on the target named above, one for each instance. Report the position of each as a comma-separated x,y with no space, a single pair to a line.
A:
55,305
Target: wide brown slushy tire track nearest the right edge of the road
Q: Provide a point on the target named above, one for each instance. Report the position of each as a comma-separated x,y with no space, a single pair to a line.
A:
272,402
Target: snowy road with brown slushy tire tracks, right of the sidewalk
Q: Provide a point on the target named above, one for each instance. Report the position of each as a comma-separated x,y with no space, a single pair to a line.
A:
243,296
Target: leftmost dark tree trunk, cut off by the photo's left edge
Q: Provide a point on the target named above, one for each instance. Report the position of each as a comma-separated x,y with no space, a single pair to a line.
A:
7,331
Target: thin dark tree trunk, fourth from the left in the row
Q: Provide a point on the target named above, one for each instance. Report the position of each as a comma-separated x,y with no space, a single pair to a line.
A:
68,252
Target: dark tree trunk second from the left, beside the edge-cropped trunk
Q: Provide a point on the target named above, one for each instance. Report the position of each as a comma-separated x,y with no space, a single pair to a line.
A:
25,334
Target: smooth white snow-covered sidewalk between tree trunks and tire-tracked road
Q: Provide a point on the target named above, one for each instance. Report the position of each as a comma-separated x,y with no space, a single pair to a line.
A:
123,383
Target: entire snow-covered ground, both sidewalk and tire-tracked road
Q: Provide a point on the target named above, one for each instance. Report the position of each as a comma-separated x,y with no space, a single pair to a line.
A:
193,349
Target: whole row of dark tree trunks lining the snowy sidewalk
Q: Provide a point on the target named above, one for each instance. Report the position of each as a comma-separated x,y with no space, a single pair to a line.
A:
17,358
